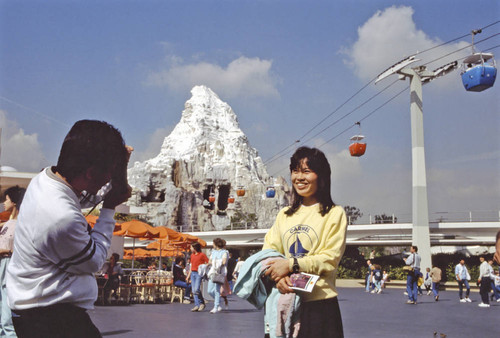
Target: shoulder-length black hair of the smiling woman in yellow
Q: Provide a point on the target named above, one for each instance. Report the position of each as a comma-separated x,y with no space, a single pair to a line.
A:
317,162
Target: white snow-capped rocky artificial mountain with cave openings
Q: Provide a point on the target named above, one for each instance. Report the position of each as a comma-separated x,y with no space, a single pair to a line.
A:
207,176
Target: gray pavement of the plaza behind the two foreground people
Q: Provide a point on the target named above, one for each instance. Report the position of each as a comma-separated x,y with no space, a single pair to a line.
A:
364,315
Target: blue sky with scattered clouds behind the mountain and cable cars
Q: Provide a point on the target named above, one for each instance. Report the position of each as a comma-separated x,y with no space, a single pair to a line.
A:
282,66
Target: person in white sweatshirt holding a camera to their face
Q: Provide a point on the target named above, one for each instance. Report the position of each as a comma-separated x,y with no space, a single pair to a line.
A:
50,281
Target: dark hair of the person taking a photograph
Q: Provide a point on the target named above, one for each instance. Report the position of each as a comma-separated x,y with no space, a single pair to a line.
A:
90,143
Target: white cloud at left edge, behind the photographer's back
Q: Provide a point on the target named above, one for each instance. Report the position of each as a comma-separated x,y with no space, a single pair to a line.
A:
19,150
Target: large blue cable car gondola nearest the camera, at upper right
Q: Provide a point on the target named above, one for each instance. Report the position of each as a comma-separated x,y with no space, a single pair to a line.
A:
478,70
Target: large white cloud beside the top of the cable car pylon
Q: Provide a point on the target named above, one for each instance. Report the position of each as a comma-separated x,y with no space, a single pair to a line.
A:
389,36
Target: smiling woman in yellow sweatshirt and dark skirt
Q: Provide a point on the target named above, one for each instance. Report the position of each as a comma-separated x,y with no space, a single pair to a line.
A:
311,233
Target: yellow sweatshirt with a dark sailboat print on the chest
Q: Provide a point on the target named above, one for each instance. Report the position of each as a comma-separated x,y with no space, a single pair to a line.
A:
317,241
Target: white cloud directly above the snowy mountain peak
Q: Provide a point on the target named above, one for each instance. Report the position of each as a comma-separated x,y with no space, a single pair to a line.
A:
243,77
